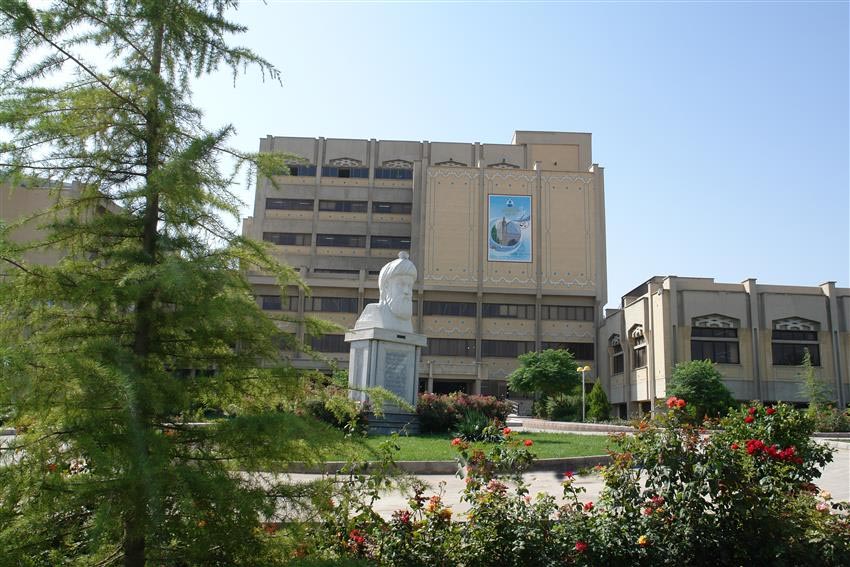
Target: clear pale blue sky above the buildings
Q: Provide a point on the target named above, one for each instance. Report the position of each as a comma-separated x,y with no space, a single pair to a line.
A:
722,126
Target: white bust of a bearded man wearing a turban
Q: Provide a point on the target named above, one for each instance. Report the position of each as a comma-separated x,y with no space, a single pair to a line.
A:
395,308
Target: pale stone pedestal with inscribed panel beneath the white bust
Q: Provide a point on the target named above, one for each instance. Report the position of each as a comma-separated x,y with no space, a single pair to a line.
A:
388,359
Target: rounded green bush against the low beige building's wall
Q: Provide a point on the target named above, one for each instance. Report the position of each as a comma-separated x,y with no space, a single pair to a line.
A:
701,385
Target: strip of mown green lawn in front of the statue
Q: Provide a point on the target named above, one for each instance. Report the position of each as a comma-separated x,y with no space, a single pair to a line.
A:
438,447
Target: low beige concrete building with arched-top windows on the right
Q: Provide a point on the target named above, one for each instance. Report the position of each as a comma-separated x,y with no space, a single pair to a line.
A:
755,333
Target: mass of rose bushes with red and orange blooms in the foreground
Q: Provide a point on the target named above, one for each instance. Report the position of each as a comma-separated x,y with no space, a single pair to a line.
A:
673,496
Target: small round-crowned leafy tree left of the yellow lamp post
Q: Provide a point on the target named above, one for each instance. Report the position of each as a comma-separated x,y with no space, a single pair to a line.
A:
545,373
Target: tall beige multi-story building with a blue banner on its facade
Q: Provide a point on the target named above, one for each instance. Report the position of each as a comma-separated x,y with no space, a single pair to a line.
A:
509,241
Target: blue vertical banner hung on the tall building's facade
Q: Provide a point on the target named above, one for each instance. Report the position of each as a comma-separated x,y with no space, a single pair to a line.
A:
509,228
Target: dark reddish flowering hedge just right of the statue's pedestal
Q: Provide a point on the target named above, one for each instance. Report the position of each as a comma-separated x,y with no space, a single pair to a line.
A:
439,413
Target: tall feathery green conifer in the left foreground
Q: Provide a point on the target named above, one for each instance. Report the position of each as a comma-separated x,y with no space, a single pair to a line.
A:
108,358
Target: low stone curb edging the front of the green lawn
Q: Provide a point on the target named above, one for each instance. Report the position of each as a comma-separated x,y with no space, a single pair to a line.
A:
559,465
